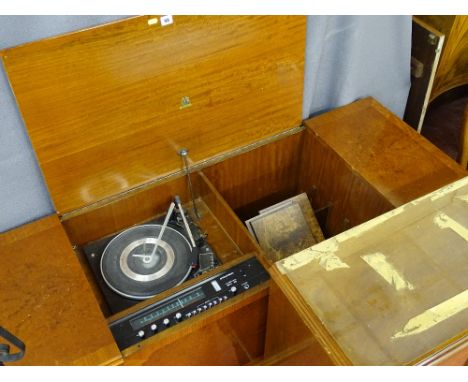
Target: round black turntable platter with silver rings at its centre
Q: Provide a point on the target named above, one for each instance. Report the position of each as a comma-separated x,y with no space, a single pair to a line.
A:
130,269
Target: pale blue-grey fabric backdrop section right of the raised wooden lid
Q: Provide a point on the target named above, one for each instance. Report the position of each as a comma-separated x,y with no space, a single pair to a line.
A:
350,57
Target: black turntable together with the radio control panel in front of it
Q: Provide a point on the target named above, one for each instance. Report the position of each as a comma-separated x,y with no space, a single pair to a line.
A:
145,260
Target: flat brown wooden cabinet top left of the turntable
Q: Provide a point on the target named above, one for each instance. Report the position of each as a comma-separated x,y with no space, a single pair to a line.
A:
47,302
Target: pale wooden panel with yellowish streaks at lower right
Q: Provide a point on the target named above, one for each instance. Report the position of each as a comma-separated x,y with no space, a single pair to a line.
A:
393,290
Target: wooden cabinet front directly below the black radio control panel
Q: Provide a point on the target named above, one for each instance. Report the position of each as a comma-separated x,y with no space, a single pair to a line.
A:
230,334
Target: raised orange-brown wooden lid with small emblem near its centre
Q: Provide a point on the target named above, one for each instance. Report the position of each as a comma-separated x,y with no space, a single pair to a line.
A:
108,108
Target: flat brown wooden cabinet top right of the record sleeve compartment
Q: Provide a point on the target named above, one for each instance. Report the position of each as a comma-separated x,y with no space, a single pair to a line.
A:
388,154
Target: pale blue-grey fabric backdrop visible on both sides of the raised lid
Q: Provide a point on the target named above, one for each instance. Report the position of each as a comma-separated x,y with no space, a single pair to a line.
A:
347,57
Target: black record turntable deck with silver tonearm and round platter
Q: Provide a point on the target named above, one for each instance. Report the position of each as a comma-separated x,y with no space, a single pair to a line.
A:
145,260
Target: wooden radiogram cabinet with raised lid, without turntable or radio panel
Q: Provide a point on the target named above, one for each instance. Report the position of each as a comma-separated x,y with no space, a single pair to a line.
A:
108,110
